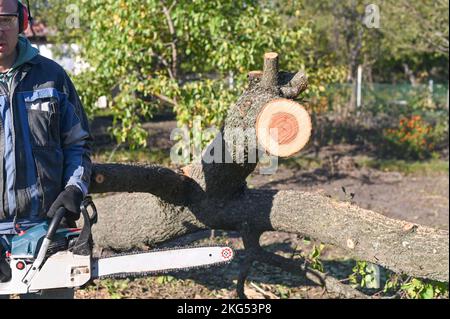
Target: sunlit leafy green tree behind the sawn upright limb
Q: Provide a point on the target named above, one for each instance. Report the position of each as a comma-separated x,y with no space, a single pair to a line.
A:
191,55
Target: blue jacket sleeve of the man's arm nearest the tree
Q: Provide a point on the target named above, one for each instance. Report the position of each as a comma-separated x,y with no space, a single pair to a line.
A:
76,139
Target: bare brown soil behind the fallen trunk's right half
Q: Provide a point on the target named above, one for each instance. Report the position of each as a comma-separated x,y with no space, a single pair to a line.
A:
419,199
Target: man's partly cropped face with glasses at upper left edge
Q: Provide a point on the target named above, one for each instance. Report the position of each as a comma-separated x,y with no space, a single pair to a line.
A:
8,32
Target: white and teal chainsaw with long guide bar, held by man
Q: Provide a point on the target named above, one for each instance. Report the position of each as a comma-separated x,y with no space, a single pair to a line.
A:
46,256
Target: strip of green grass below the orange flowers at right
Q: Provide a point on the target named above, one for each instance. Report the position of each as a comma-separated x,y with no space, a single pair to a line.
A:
432,166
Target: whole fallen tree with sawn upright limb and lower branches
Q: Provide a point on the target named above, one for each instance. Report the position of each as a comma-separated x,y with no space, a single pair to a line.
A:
212,194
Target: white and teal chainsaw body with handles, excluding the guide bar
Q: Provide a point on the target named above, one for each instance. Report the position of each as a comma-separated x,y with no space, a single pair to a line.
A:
45,257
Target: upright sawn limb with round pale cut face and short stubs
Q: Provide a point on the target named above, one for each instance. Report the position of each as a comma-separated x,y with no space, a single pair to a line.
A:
234,153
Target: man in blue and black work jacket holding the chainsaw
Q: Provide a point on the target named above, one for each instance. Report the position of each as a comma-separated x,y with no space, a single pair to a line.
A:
44,134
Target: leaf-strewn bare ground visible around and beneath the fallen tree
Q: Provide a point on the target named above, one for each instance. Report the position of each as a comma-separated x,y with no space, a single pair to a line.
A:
416,192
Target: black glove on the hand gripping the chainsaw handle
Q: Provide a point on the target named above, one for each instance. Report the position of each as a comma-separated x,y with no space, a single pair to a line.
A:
71,199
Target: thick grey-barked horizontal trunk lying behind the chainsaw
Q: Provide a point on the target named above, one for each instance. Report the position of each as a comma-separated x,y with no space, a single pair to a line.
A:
142,220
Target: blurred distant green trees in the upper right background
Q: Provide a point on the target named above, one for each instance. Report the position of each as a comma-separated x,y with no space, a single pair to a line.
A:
411,42
